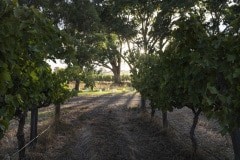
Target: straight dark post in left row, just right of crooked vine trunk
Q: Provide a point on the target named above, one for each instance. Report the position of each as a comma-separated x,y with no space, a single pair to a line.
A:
33,129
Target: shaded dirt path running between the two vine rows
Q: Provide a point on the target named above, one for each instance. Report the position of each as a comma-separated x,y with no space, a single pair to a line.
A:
111,130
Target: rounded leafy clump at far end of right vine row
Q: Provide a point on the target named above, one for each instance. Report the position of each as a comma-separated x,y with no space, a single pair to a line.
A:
153,79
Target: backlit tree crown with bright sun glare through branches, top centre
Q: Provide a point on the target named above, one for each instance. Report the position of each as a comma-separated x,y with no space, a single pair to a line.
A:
150,26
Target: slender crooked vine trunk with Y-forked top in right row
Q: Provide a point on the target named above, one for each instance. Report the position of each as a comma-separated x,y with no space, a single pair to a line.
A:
192,130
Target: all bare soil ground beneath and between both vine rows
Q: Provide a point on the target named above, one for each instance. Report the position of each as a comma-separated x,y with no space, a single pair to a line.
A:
111,127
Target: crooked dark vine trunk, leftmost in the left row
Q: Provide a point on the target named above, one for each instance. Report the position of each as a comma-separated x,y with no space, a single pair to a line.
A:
20,135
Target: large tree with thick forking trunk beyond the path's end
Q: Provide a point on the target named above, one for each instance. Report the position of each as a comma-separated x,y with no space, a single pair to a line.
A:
118,29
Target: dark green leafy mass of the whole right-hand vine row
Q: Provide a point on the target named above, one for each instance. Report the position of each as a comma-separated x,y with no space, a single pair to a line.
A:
199,68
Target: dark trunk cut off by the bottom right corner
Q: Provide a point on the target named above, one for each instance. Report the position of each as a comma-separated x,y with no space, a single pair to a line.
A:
235,136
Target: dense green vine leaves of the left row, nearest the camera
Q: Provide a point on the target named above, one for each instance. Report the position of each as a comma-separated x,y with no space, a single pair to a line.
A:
27,38
